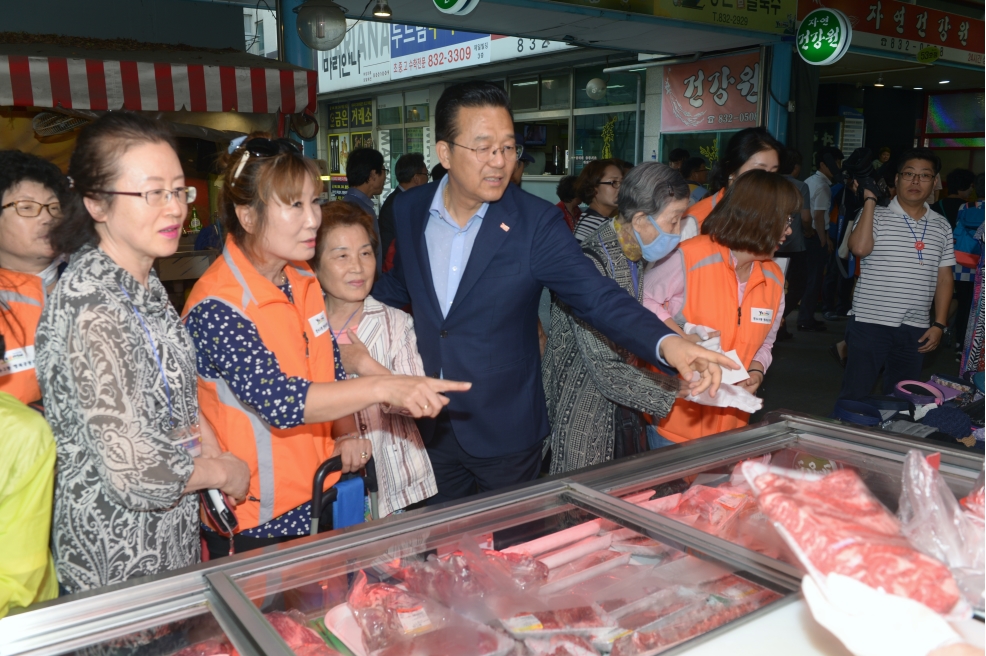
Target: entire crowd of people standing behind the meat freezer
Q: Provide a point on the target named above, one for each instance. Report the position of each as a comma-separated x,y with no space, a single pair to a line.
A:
294,346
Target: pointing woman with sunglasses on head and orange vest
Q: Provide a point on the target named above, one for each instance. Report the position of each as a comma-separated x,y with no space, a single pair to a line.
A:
267,360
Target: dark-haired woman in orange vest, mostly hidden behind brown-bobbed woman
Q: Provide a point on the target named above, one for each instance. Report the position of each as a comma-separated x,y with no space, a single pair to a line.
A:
748,150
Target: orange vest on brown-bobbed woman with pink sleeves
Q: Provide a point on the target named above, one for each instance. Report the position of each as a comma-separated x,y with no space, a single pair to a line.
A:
711,299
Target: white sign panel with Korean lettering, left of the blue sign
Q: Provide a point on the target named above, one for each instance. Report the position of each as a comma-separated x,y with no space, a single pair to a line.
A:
362,58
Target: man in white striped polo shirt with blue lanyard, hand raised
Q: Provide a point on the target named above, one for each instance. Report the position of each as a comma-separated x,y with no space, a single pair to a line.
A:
906,267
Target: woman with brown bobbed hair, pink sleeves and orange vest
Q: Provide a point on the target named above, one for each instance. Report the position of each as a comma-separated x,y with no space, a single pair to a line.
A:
725,279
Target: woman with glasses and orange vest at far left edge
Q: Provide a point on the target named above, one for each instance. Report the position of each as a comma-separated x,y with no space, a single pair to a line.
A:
29,202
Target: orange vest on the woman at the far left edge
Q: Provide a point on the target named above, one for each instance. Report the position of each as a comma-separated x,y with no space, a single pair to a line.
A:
22,297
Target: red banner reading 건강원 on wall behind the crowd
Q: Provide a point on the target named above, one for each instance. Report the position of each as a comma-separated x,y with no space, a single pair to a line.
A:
712,94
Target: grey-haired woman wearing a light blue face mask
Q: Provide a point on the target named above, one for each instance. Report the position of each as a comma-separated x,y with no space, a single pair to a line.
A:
595,391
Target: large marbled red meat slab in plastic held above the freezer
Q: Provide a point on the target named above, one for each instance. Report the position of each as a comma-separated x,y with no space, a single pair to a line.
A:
834,524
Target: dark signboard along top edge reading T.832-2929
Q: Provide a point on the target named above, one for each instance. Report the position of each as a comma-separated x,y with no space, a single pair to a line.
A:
772,16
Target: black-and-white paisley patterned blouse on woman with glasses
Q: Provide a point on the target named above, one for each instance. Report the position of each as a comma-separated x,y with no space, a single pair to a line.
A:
119,508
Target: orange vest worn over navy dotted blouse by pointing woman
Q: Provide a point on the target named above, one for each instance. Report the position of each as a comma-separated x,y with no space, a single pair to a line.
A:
282,461
